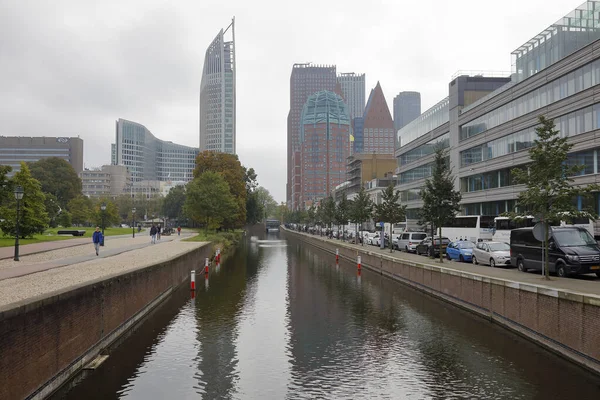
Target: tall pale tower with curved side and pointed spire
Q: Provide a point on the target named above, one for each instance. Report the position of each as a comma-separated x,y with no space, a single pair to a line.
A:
217,95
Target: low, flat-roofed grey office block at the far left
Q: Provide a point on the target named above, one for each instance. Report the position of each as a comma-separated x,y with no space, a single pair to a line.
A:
14,149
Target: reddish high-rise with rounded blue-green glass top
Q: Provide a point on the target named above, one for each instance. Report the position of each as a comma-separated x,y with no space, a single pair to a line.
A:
324,139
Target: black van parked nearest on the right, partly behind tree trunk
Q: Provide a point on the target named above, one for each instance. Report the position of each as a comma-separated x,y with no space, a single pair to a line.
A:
572,250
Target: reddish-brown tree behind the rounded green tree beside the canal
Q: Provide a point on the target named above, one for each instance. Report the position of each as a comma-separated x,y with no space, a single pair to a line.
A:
229,166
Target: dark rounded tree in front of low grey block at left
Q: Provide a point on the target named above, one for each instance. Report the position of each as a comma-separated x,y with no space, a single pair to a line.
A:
57,177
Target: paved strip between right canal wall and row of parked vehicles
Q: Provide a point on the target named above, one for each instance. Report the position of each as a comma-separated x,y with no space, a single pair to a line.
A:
583,284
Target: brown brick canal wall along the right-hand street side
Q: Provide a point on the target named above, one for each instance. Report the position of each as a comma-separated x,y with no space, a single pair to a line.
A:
566,322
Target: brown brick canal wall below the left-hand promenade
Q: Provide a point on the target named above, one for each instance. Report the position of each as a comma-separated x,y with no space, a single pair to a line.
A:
45,341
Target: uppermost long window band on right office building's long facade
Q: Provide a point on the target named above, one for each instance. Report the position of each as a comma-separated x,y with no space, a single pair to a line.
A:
576,81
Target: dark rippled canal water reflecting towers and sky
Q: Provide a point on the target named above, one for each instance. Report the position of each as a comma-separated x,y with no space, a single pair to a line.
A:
280,320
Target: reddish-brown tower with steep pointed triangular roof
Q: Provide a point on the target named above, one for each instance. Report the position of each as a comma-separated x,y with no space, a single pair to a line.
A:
378,129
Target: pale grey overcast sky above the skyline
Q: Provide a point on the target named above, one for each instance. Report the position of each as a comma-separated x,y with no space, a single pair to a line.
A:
71,68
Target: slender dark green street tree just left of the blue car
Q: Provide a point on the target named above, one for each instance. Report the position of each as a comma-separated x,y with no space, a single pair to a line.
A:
440,201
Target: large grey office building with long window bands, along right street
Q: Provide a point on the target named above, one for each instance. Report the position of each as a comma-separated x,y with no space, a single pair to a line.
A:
556,74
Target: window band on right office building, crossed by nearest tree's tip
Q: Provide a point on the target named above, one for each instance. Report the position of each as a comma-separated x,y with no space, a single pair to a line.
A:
577,122
